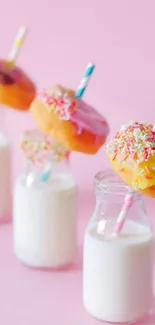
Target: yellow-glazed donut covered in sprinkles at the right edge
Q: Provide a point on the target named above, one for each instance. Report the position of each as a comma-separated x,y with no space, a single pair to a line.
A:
132,156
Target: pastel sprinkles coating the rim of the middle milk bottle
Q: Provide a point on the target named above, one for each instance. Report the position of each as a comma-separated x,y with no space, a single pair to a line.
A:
38,148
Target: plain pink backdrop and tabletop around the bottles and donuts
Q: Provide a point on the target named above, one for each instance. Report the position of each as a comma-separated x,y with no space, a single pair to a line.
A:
64,35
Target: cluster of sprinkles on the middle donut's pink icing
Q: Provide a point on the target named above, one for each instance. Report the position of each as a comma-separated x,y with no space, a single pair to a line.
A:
60,103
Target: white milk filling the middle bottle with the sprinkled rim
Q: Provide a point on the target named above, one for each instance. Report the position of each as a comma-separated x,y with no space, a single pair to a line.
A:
44,222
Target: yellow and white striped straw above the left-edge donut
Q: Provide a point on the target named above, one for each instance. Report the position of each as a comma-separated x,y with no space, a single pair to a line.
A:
16,46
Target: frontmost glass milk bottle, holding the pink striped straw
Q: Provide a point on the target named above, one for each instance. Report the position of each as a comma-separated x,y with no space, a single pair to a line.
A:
117,269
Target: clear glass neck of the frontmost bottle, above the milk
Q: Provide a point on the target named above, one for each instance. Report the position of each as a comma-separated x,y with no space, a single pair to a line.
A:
112,197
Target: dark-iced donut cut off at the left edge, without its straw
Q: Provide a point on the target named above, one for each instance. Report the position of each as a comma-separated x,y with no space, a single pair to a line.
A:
16,89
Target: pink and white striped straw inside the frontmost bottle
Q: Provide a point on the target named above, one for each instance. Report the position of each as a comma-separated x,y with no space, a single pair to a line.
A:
124,212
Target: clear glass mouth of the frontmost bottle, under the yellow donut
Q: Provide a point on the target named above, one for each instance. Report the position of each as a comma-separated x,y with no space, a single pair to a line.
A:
108,182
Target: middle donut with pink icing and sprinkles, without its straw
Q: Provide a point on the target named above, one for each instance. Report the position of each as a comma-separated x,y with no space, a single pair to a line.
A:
70,121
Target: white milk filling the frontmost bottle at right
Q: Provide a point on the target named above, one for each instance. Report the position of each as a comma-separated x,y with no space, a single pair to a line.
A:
117,279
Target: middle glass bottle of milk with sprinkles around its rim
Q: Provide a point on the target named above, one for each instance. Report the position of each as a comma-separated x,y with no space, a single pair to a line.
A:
44,210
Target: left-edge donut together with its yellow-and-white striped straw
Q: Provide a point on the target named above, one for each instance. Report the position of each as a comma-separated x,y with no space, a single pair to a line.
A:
16,88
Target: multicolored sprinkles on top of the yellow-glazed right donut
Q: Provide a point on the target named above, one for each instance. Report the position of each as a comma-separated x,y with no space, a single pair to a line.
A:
134,140
